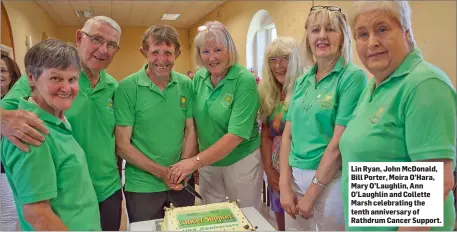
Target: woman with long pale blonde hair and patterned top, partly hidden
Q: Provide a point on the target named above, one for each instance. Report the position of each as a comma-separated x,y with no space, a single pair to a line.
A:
282,66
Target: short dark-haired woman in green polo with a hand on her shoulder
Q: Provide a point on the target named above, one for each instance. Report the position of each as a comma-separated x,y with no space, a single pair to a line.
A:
51,183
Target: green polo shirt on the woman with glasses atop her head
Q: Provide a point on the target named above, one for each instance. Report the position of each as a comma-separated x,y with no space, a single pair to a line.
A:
316,108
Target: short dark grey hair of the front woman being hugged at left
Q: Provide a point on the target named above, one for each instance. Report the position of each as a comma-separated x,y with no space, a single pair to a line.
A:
48,54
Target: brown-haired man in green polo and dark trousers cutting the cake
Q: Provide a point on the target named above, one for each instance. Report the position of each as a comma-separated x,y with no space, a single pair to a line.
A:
154,127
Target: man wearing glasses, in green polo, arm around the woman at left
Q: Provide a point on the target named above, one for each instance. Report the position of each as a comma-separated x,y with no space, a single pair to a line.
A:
91,115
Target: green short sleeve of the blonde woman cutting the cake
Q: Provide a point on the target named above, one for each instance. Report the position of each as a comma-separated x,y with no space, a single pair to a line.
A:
244,112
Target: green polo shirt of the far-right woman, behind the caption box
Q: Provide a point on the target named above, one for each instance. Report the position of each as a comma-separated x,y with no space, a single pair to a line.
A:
409,117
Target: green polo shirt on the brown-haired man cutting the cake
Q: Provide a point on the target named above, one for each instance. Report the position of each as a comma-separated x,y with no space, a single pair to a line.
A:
158,121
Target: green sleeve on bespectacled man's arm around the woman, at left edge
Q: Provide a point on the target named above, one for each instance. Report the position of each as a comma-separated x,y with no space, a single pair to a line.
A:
20,89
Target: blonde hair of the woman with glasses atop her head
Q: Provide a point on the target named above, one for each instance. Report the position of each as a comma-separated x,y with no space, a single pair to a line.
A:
338,21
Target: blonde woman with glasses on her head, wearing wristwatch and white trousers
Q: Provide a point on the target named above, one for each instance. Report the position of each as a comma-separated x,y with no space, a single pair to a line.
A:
321,106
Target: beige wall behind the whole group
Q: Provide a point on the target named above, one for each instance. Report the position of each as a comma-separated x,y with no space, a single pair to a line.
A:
434,25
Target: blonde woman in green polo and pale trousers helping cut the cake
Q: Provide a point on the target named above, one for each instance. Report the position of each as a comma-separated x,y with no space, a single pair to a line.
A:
225,104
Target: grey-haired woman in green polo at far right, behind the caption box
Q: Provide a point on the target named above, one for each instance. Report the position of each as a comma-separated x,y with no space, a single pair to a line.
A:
408,111
